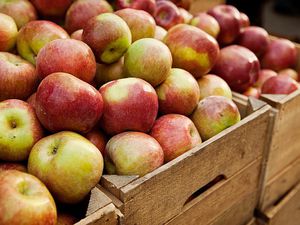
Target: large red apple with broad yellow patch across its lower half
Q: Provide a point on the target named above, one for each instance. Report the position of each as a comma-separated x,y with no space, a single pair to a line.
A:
197,55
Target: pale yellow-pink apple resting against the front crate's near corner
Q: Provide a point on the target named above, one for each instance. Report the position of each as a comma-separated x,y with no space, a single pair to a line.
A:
133,153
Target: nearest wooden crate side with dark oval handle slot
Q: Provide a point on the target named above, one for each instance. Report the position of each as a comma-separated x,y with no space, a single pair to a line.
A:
199,177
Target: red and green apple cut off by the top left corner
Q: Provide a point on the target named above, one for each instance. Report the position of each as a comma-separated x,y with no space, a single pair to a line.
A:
22,11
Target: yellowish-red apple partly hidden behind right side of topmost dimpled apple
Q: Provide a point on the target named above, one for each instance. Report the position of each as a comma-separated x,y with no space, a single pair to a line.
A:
140,23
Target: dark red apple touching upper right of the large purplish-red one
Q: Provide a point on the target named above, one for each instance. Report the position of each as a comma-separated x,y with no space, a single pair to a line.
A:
255,39
